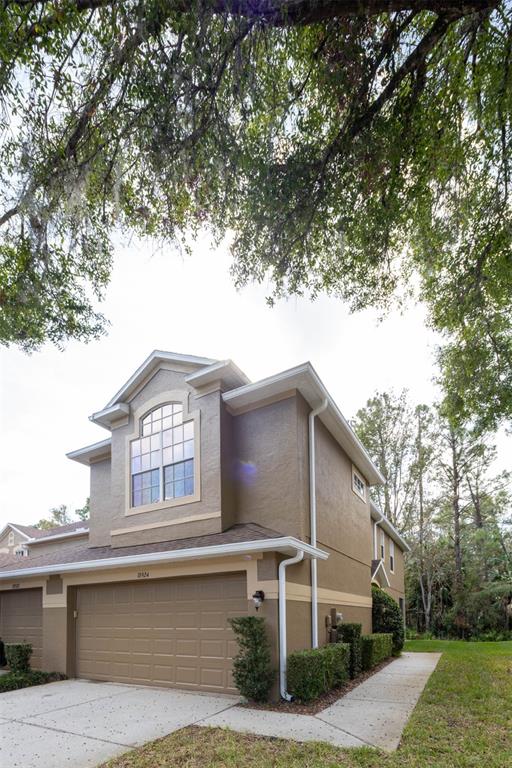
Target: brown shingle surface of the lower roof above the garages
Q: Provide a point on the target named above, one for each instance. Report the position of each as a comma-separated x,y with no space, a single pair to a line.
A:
235,535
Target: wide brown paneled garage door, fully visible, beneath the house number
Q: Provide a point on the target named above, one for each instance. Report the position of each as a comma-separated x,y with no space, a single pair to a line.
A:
170,632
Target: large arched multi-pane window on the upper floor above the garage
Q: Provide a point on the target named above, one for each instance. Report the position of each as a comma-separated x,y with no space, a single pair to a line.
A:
162,458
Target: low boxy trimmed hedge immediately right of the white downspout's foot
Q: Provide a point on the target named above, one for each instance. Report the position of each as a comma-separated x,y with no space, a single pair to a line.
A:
315,671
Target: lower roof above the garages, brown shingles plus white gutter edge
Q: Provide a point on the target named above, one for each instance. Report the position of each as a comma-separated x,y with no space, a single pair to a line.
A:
241,538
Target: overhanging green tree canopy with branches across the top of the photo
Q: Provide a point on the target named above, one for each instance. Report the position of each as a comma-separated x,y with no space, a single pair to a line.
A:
357,148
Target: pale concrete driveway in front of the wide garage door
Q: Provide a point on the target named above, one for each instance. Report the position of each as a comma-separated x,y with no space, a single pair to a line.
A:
80,724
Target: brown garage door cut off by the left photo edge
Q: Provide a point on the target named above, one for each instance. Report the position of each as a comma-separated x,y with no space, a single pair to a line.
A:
21,620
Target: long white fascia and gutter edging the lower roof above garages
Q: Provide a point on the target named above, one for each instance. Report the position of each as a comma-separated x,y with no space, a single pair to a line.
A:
286,544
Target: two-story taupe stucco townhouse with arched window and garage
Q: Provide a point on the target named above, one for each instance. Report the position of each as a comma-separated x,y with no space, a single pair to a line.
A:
211,497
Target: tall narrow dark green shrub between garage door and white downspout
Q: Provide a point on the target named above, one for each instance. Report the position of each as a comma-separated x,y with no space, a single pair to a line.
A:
252,668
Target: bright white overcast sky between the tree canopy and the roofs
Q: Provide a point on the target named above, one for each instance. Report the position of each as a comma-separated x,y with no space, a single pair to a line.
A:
159,300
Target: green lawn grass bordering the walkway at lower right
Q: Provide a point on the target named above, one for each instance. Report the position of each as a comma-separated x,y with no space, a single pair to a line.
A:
462,720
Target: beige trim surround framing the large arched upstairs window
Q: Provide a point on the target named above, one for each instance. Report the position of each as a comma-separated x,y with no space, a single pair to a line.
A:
164,398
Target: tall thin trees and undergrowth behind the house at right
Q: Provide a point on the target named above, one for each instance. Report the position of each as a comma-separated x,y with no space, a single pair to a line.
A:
458,514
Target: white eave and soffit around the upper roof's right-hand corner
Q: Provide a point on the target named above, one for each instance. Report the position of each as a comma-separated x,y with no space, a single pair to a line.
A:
305,379
